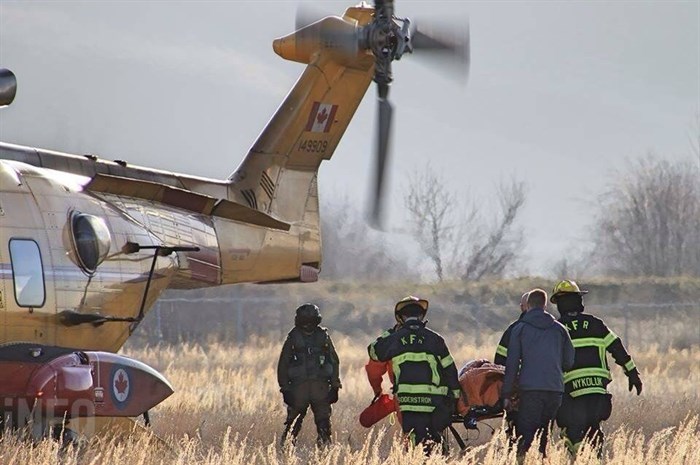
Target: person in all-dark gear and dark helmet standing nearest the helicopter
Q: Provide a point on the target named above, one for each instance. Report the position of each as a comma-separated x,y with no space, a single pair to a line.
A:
308,373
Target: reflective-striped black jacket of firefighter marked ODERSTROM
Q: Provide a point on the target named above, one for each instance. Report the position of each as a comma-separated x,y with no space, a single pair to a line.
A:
425,375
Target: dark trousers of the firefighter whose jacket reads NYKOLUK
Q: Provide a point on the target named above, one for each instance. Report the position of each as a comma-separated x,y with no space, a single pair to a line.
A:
580,418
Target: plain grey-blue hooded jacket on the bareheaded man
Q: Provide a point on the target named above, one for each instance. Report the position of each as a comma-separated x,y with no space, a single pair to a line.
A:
539,352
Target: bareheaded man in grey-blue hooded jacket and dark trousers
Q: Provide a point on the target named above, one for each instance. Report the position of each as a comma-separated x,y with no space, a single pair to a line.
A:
539,352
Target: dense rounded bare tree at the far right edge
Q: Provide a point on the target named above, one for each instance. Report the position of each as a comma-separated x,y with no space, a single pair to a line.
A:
649,220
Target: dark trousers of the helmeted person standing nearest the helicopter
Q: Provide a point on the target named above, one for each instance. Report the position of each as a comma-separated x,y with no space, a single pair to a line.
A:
312,393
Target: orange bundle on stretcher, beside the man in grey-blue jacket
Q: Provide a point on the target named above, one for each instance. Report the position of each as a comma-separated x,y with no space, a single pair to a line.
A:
481,383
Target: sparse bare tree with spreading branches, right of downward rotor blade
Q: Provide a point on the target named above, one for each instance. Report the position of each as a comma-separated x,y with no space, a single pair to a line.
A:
452,233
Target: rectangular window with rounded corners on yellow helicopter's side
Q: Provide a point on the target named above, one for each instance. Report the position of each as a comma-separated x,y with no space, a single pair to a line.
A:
27,273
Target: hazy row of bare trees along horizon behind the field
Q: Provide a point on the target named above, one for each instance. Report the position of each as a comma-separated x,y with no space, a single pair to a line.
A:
645,223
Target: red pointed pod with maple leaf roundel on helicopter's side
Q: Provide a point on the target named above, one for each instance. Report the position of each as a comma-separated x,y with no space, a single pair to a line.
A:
60,382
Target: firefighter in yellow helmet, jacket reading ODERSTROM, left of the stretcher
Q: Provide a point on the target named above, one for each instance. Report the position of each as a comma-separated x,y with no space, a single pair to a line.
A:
425,376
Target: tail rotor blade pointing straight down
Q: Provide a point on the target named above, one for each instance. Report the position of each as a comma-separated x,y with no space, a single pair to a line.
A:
384,115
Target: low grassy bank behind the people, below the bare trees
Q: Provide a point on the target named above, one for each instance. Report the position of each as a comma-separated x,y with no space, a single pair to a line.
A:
646,311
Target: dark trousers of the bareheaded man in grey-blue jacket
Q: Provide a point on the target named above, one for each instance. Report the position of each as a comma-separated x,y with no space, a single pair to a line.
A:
537,410
